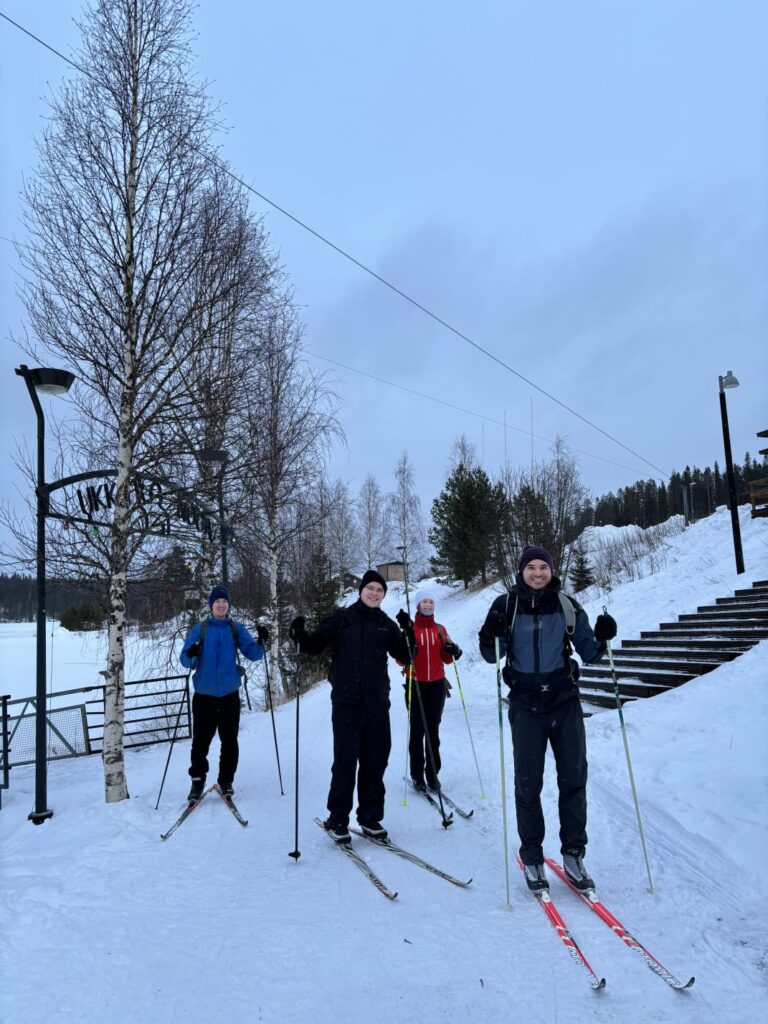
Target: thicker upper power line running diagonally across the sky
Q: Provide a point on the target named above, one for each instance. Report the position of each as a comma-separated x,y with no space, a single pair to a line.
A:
377,277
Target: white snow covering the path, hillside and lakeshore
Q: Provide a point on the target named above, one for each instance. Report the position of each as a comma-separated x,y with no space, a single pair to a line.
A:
103,922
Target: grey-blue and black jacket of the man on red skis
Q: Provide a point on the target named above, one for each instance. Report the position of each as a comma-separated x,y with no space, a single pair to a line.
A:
539,668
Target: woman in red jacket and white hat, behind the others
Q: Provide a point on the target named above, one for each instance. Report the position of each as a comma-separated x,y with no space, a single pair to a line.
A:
435,651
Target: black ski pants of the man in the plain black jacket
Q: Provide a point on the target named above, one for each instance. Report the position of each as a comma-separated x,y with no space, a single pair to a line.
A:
362,744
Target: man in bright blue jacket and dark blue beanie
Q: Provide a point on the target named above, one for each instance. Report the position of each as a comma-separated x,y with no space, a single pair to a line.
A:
210,650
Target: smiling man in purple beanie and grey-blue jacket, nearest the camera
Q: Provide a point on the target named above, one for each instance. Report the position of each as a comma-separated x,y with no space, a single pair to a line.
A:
536,626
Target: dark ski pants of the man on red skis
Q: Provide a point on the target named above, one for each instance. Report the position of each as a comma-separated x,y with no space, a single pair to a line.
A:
563,728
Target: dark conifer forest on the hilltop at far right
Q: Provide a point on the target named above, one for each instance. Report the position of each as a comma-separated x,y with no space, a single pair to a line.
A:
695,492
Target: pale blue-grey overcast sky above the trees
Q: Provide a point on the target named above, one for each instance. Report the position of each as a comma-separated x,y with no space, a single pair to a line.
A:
580,188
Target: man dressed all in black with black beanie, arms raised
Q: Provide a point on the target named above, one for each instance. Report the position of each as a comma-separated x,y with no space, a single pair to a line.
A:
362,637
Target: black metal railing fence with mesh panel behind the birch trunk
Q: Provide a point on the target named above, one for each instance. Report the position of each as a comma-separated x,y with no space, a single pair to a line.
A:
76,729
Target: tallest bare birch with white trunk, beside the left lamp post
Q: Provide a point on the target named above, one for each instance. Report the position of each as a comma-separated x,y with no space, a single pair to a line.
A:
120,228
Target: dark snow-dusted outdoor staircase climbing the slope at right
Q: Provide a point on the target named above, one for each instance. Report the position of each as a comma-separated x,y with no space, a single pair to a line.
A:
679,652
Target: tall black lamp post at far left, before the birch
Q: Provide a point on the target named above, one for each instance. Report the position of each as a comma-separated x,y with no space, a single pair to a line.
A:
47,381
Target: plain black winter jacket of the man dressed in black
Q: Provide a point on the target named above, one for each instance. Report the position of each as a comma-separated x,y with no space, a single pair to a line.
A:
361,638
